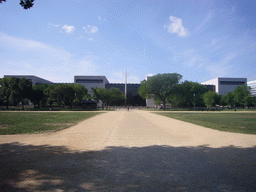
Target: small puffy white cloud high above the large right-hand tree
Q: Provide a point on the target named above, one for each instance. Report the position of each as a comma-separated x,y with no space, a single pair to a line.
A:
176,27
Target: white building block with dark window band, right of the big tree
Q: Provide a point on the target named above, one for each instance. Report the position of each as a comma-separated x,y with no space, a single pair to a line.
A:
223,85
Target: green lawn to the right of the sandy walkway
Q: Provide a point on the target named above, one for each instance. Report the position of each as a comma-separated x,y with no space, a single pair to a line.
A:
229,122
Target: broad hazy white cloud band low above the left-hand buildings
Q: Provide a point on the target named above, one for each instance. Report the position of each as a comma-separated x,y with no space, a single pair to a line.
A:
24,56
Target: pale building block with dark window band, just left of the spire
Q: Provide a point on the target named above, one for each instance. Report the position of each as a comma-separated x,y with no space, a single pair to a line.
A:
91,81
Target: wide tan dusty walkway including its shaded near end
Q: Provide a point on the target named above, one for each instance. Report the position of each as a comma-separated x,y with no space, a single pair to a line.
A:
129,151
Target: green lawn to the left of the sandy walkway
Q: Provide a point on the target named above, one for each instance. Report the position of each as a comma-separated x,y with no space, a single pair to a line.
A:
29,122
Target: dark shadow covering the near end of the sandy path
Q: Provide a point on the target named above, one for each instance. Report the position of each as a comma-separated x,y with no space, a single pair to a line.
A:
152,168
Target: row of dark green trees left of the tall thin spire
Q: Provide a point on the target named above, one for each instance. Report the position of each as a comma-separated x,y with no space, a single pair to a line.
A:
15,91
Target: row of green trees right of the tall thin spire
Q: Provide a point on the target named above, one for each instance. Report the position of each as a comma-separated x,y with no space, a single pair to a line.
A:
167,88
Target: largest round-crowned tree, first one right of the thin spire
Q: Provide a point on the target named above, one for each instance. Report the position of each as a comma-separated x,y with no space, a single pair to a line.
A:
161,86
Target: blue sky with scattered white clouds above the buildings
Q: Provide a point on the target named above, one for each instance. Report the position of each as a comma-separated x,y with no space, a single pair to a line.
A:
199,39
